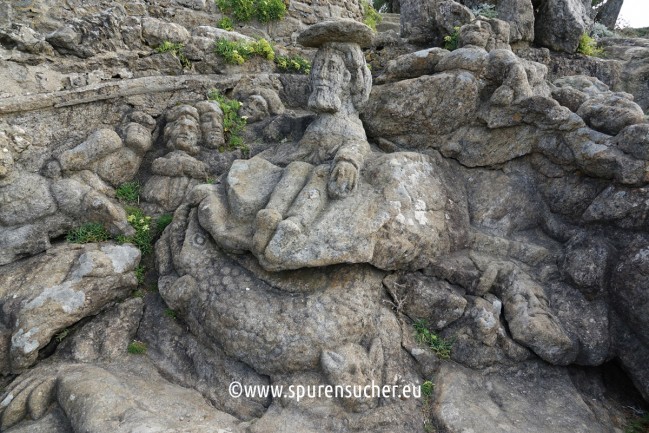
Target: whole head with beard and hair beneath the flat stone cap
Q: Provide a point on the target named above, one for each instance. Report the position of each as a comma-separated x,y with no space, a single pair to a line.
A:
339,75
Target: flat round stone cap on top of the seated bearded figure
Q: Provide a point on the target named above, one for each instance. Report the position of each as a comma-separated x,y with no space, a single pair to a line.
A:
342,30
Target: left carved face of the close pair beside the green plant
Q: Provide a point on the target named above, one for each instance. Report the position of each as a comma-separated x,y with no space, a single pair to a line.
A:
182,131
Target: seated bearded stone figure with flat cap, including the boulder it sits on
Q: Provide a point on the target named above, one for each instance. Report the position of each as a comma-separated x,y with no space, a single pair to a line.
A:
335,201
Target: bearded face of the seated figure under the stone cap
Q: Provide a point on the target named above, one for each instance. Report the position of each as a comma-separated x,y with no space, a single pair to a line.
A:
330,80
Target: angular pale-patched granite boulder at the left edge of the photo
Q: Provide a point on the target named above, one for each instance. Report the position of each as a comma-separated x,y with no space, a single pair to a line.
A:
47,293
